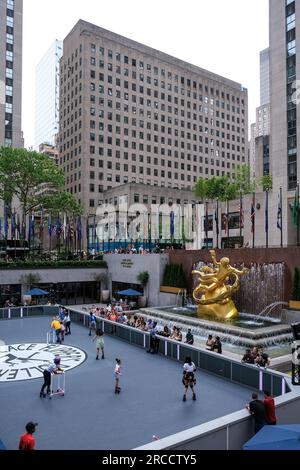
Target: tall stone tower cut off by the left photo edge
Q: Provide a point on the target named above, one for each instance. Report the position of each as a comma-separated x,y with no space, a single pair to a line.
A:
11,14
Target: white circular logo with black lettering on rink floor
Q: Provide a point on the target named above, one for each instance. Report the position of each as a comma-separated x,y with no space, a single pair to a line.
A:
26,361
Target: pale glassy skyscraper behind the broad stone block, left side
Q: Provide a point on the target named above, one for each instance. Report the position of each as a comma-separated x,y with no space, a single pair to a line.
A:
47,96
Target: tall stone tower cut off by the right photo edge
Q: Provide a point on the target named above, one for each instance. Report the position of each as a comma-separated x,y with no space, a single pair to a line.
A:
284,95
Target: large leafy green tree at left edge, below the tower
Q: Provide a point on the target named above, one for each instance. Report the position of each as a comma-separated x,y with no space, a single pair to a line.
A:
22,173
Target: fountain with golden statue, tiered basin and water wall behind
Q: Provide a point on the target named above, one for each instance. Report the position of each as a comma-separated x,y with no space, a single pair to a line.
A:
259,299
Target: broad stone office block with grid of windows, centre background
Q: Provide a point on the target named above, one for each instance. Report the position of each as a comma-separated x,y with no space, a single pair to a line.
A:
129,113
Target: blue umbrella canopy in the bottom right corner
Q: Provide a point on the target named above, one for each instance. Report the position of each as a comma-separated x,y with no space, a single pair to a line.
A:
278,437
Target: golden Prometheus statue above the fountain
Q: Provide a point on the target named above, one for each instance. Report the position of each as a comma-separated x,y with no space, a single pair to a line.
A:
213,293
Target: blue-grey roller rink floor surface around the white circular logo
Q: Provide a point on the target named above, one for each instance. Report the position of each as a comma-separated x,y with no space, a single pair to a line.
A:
90,415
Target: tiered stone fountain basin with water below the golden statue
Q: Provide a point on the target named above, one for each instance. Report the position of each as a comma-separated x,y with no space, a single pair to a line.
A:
249,335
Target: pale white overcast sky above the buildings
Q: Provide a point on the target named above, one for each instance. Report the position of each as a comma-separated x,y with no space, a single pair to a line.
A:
222,36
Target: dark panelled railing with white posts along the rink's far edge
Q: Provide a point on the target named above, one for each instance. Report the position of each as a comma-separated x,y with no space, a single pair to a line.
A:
248,375
